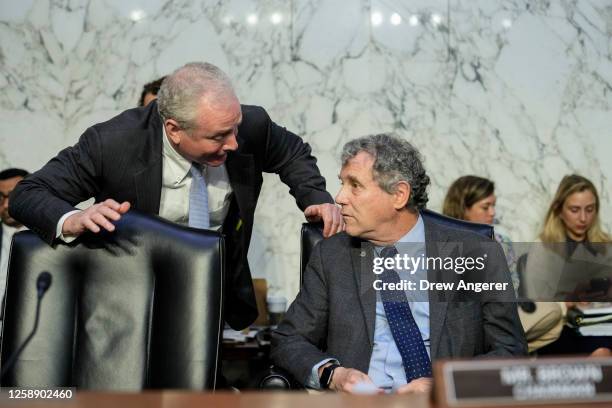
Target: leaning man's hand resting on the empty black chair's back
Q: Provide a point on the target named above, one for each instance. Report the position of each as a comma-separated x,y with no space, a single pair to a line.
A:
94,217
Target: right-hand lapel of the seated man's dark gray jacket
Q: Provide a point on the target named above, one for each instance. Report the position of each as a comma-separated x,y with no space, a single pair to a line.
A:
436,245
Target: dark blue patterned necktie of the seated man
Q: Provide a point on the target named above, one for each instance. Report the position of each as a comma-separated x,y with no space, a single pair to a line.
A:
403,327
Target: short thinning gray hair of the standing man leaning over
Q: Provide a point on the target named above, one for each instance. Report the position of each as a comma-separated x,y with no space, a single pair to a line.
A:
181,91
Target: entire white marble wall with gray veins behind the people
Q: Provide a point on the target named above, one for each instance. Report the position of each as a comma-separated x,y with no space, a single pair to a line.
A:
519,91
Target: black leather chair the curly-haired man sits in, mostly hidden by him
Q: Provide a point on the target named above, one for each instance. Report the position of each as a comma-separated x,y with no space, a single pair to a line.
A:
277,378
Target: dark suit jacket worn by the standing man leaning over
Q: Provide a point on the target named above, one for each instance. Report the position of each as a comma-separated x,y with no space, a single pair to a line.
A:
122,159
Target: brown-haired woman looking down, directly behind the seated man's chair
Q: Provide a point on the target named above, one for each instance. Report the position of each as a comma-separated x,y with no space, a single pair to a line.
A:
472,198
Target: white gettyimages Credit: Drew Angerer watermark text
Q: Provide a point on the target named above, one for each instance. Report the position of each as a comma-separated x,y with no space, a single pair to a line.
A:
416,267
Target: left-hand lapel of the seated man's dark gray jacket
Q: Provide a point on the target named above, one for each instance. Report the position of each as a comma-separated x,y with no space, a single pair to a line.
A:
362,257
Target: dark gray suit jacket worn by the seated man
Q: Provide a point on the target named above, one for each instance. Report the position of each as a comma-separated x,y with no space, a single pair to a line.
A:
334,314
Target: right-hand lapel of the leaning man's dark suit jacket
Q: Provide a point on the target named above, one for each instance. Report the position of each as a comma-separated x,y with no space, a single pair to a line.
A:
240,171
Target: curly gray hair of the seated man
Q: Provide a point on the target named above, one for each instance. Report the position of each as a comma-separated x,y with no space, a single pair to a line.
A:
395,160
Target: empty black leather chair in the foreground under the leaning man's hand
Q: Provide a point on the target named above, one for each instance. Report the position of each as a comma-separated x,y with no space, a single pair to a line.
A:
139,308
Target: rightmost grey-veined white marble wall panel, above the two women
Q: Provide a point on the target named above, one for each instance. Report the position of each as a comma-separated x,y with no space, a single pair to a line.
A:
528,71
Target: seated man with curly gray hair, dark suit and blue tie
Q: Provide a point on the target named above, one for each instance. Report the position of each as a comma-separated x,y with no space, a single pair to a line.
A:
346,330
